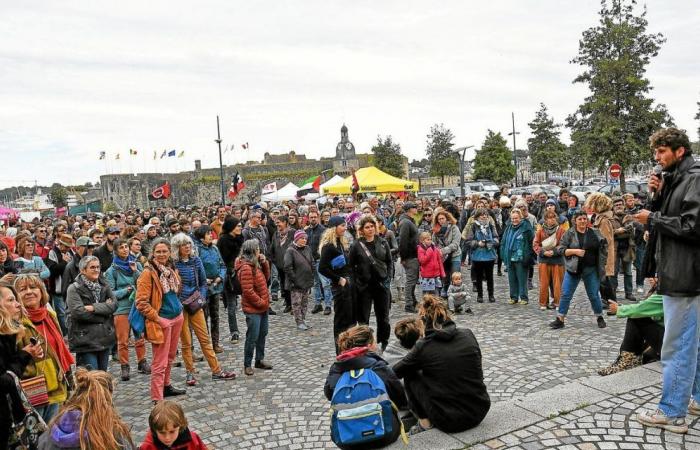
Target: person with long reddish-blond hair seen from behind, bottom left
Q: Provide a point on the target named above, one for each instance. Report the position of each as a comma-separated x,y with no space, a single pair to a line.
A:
88,419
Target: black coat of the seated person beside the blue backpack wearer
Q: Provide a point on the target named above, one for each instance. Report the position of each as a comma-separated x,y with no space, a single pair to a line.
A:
449,360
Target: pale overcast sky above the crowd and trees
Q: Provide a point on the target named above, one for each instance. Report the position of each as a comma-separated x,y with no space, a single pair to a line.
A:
77,78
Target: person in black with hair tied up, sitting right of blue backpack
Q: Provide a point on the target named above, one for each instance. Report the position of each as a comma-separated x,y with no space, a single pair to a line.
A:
443,375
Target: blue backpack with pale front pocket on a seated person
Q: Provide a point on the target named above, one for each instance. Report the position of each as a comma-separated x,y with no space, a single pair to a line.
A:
361,411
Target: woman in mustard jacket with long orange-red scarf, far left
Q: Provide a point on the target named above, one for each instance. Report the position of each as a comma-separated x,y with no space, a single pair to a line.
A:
41,324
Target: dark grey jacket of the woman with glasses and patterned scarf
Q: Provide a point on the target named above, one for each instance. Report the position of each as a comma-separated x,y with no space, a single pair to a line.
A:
90,331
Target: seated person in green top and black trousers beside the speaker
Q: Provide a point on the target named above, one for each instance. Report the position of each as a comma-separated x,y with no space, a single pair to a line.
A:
644,332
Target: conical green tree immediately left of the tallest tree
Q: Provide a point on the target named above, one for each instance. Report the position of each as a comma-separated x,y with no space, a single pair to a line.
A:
547,152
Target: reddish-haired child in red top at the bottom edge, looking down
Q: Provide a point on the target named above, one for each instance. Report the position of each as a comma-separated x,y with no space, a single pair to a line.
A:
168,429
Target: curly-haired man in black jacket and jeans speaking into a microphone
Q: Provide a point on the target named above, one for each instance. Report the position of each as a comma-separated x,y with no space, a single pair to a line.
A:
675,206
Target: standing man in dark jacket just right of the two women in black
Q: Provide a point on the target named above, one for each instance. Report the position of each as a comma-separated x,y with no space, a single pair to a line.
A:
408,252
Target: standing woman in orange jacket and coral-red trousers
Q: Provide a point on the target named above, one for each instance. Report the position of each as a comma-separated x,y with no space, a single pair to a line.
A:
156,299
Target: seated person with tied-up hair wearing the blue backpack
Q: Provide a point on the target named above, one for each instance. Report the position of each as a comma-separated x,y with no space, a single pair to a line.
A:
358,350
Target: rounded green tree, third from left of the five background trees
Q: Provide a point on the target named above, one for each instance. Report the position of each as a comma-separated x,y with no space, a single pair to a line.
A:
494,161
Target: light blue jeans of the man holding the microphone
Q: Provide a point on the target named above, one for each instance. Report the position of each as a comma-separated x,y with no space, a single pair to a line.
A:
679,355
